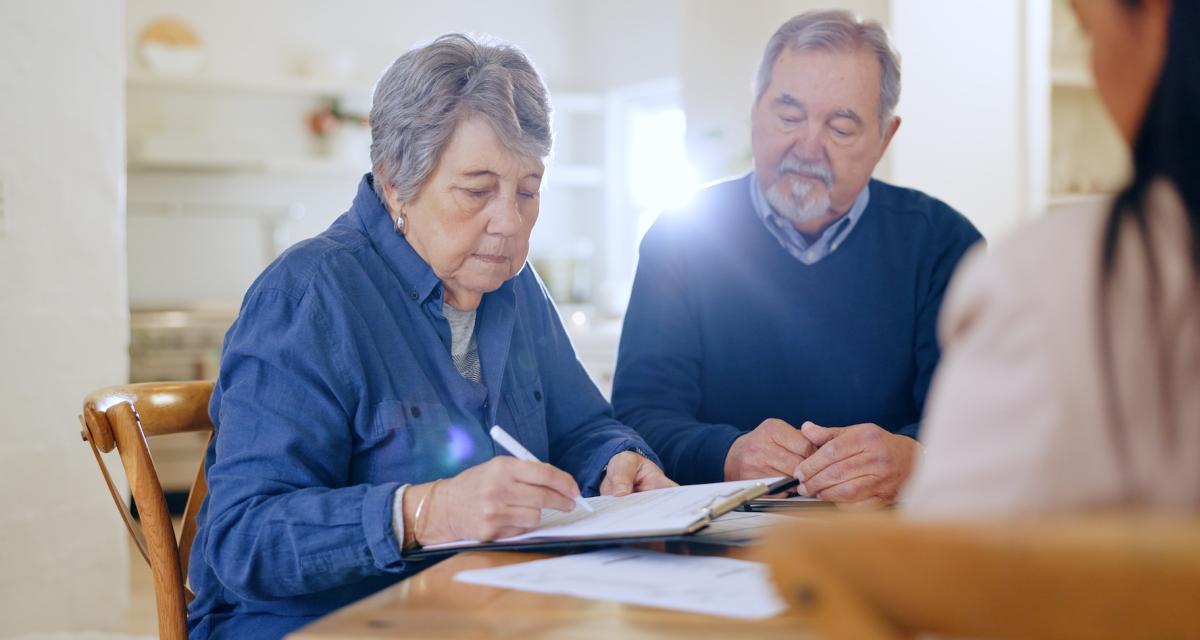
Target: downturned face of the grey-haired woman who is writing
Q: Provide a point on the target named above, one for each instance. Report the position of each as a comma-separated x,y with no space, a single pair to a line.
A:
471,220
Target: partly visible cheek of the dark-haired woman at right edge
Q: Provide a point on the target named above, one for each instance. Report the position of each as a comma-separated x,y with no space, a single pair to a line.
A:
1129,49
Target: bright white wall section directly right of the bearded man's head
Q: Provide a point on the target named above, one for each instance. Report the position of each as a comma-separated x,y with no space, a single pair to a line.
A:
967,110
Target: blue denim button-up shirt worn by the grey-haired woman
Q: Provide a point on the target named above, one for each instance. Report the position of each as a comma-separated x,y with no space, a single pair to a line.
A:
338,387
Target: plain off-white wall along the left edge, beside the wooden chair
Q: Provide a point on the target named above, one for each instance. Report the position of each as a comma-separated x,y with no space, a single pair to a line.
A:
64,320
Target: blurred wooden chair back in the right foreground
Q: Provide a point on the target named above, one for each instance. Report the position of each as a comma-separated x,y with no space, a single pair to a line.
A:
875,578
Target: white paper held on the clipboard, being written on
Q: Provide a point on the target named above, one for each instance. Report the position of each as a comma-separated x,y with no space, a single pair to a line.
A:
650,513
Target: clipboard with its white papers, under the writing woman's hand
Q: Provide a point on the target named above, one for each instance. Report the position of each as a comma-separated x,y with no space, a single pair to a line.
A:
662,513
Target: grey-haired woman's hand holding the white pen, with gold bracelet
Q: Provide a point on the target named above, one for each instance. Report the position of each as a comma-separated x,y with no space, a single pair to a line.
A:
501,498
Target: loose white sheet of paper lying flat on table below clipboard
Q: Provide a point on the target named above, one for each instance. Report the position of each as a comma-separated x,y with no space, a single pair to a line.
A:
699,584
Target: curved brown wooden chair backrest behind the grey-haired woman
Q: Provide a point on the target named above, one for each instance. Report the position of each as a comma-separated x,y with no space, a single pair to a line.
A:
123,418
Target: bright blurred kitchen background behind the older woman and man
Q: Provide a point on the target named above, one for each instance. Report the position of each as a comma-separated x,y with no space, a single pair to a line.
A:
245,134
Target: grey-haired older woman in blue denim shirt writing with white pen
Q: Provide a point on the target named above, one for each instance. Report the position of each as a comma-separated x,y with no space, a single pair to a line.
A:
368,364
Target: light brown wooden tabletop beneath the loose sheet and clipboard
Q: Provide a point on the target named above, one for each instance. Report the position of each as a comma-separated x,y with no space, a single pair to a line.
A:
431,606
